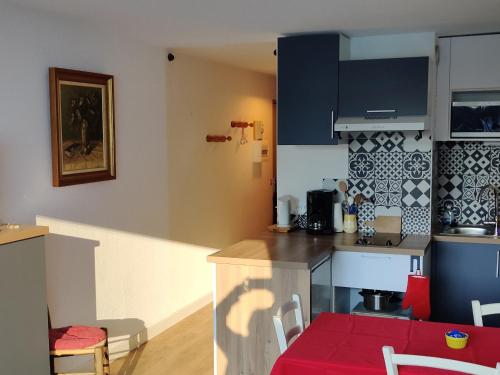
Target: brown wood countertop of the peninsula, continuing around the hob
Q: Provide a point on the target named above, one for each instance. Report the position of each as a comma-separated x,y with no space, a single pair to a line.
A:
301,250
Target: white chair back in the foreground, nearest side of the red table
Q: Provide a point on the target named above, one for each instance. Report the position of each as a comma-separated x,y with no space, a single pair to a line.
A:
393,360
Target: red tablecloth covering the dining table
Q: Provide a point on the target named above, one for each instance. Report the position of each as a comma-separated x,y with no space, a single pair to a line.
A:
340,344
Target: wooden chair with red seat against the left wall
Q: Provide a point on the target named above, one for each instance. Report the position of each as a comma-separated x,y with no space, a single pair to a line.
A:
74,347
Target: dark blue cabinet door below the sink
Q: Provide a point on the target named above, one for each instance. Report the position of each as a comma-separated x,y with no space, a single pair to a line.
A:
463,272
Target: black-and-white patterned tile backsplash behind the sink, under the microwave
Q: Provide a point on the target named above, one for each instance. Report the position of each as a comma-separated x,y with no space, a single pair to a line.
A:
464,168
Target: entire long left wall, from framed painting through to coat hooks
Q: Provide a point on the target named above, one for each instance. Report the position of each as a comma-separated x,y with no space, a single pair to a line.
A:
109,258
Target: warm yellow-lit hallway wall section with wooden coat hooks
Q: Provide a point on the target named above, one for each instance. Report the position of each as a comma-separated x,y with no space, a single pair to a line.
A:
220,196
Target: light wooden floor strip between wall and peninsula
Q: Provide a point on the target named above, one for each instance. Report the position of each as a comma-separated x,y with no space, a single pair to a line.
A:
184,349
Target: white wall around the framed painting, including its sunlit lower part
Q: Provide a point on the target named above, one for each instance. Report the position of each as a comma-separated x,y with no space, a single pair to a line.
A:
106,272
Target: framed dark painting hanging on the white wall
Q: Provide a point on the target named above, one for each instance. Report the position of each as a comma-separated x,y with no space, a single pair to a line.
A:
82,124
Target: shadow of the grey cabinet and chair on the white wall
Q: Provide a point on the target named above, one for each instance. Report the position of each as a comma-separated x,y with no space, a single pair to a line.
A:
70,263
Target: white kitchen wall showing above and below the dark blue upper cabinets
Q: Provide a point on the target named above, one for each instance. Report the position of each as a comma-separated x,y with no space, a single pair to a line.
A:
302,168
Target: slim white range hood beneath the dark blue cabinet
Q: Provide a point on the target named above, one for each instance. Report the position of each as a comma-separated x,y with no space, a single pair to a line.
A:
358,124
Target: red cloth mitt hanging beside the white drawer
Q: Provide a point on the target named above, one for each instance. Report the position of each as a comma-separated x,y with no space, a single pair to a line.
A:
418,296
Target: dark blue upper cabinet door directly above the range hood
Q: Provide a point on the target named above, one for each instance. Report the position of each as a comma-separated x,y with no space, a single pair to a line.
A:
398,84
